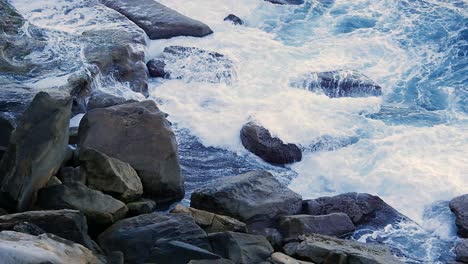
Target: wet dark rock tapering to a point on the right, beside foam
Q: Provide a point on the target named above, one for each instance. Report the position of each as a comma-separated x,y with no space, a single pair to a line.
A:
362,209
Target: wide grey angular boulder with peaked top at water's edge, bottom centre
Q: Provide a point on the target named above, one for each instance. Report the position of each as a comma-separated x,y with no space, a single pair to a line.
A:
253,197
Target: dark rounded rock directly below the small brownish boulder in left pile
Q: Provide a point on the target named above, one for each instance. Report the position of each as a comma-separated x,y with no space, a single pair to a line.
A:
100,209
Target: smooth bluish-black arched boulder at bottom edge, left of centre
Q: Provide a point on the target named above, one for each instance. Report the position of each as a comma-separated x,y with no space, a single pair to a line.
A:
136,236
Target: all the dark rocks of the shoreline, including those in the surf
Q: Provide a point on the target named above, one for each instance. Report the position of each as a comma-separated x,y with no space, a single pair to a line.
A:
92,195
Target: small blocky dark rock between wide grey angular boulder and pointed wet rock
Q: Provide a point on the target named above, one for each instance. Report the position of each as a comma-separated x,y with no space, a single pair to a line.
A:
335,224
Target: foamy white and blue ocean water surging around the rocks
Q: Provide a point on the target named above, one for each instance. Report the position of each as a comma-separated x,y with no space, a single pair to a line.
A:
410,146
